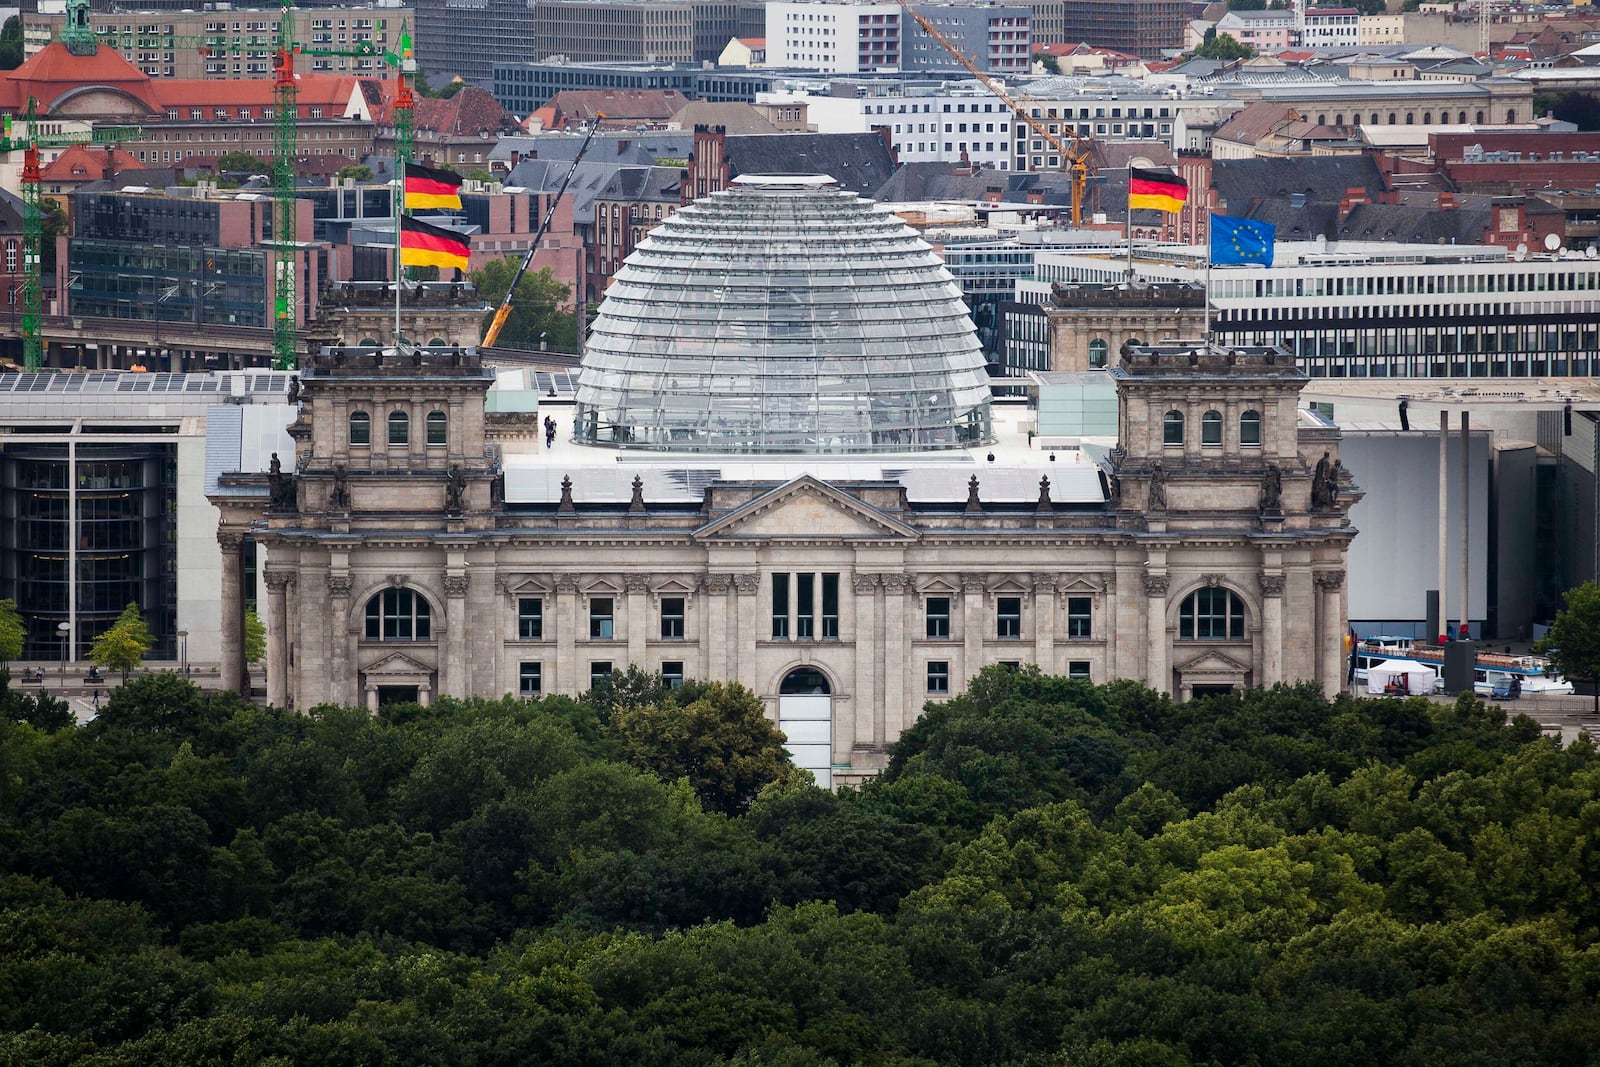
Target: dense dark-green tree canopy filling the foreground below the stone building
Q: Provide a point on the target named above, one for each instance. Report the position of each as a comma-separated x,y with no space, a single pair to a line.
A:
1049,873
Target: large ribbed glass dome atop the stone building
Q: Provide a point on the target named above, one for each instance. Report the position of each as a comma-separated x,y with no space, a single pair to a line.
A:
783,316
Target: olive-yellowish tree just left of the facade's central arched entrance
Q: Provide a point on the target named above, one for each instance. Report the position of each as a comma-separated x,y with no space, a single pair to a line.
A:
722,743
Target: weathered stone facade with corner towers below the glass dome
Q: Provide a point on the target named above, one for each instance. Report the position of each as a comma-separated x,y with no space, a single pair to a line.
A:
399,570
